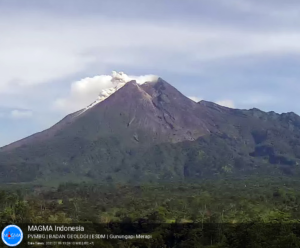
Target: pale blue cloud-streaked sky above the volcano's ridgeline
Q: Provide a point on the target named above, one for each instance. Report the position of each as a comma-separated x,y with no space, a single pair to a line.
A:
238,53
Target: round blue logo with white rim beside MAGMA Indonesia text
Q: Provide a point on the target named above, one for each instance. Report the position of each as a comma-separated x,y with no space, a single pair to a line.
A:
12,235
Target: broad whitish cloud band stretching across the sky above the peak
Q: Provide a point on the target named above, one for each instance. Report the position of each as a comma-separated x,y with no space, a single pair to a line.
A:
52,51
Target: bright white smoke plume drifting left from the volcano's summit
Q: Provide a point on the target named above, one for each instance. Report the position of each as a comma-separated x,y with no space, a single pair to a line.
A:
88,89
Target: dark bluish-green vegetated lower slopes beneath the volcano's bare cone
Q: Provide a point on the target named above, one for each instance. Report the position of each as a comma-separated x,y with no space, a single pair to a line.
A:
215,155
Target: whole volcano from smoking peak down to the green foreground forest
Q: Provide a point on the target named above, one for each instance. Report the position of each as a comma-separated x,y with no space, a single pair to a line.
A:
150,131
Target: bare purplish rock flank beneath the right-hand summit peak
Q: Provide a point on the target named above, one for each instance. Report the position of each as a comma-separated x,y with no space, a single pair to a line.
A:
180,116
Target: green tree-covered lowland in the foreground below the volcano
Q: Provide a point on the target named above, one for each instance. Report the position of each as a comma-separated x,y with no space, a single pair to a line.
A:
249,212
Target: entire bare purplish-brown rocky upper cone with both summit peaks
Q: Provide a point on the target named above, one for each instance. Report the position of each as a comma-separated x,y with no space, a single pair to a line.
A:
155,110
